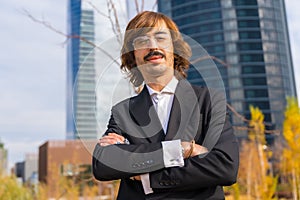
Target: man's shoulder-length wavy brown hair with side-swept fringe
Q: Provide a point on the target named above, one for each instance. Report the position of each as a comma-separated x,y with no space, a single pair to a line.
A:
142,23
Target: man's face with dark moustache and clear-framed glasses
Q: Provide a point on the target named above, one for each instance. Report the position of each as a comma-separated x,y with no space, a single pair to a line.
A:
154,52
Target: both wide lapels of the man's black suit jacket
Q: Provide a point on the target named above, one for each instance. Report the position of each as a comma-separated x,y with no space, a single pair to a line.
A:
184,117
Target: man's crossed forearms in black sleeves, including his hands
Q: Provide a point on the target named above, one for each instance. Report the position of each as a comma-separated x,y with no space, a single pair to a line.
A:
218,167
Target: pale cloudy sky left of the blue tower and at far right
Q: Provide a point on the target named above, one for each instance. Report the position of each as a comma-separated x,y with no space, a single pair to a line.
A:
33,73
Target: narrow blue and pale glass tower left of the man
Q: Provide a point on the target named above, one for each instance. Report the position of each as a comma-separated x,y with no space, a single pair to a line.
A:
81,83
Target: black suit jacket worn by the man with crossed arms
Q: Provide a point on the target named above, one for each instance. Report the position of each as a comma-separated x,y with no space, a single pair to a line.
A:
197,113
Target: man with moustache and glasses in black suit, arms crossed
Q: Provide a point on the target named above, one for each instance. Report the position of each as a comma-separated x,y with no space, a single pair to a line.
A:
172,140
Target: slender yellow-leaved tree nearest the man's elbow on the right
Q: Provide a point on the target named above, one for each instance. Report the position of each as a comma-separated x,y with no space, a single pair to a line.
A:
255,172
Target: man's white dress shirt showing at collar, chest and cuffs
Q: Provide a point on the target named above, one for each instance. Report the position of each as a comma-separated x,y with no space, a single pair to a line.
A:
172,153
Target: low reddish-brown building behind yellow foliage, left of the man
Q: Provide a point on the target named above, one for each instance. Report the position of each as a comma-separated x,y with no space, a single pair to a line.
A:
68,160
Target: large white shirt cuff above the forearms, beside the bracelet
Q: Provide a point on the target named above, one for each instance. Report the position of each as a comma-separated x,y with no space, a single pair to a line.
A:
172,153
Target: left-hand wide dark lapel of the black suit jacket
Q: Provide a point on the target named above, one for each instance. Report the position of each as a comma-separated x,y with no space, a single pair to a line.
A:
143,113
